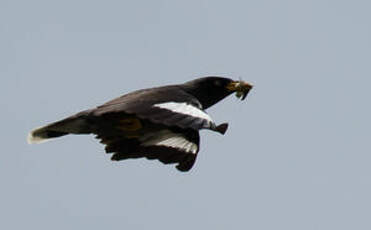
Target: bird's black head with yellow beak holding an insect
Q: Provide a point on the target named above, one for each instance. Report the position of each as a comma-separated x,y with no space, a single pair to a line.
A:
210,90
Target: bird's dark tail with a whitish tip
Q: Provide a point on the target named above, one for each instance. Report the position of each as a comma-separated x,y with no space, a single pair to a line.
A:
76,124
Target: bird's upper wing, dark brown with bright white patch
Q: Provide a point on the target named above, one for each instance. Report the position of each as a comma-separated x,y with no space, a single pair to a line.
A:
169,105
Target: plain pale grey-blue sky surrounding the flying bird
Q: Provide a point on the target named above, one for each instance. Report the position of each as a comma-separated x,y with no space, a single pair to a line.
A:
297,153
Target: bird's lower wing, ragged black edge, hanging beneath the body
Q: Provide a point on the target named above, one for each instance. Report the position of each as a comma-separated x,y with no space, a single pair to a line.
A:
168,146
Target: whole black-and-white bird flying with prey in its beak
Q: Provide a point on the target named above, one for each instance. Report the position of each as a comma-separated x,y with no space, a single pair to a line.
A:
160,123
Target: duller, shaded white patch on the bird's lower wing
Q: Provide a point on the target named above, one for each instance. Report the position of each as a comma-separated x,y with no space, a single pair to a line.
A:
169,139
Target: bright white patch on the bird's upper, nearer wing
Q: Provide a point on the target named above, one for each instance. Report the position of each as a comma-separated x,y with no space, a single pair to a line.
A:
184,108
